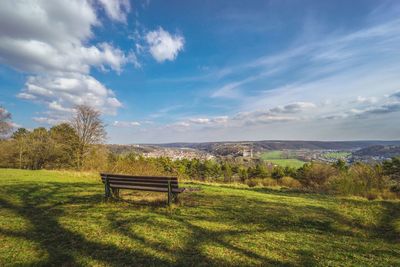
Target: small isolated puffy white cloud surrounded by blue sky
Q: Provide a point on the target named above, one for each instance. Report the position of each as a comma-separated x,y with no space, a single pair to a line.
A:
164,46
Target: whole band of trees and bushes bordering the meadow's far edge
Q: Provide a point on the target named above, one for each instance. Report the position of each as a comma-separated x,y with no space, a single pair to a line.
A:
78,144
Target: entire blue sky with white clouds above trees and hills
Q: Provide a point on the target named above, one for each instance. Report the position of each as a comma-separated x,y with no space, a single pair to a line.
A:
171,71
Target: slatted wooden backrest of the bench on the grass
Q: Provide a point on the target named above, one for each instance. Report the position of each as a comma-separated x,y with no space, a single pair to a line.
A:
148,183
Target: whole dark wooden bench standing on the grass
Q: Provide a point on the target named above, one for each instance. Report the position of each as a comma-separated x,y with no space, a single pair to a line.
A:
114,182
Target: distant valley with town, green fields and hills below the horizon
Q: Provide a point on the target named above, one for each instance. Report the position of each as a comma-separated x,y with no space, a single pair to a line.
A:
274,152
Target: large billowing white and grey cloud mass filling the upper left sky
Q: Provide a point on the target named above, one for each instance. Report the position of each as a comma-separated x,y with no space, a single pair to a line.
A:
49,40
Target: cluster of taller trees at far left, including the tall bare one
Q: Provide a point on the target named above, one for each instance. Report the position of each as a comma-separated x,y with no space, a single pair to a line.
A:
66,145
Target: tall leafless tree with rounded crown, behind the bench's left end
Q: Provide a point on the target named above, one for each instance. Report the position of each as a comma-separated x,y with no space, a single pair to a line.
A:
89,128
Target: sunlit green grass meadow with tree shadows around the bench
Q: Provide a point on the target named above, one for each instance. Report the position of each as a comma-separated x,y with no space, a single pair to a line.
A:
59,218
